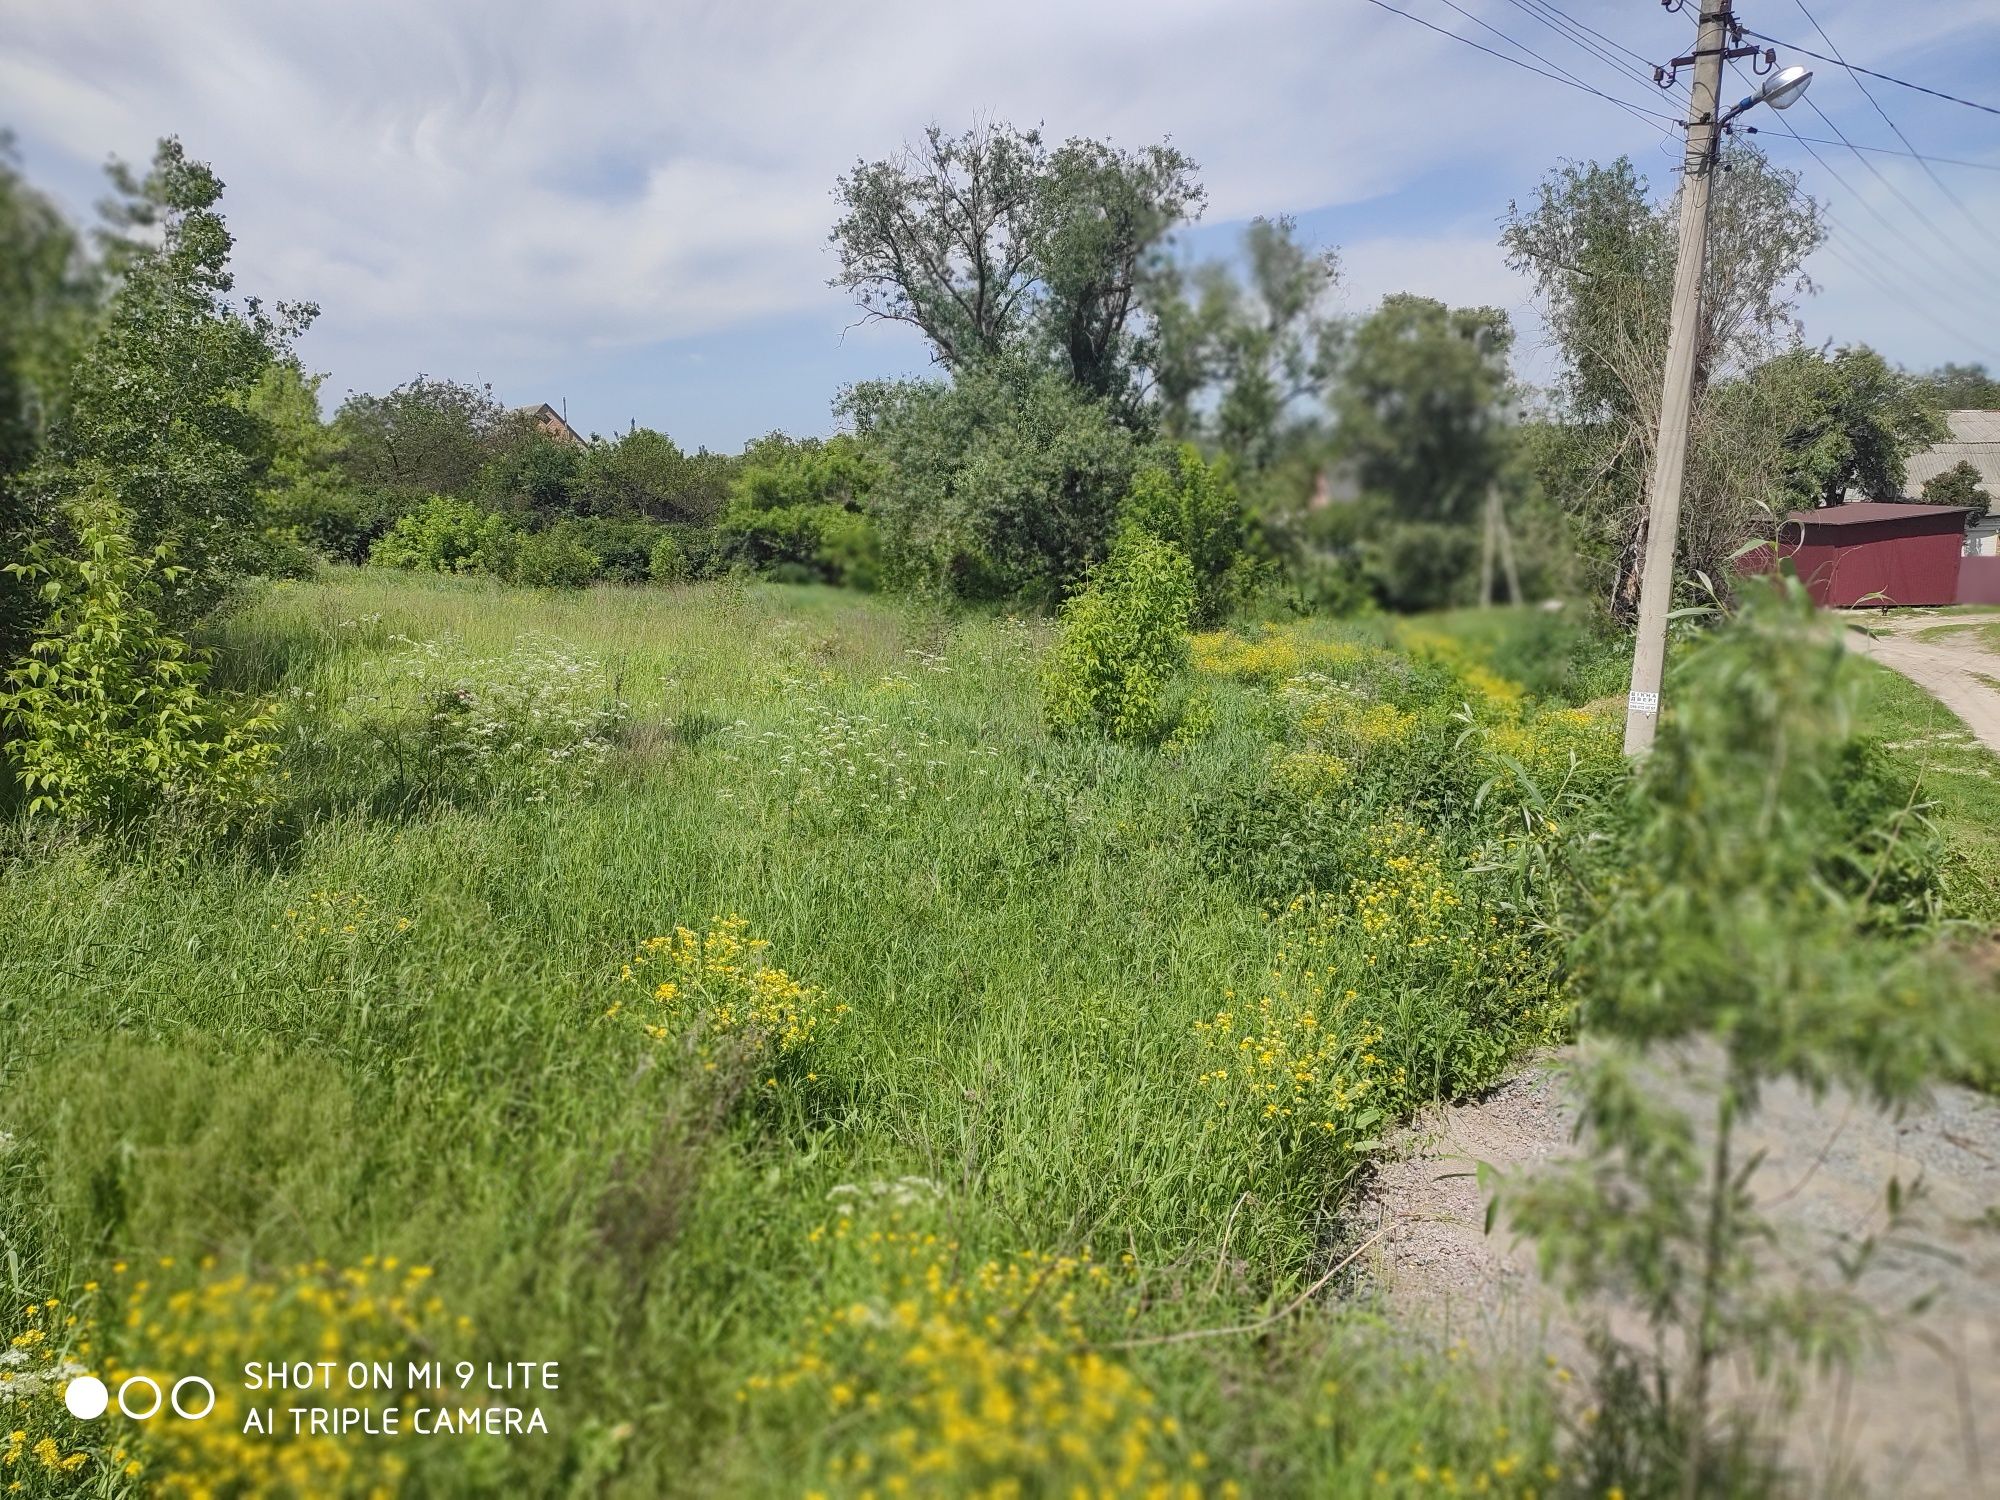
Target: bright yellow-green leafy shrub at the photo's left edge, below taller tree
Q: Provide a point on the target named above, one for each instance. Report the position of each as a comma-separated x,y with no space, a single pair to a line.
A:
107,719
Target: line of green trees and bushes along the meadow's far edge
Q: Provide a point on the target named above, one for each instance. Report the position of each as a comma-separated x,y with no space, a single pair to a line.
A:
161,441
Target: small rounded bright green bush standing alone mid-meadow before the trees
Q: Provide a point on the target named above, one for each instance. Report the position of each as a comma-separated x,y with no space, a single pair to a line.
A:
1123,643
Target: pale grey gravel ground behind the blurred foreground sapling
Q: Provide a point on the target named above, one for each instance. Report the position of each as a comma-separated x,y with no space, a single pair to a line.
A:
1923,1411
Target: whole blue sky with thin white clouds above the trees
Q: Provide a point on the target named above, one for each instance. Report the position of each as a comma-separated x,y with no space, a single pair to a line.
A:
621,207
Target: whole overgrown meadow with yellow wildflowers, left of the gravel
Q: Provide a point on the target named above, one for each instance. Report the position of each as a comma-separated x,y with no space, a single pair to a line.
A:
1051,1077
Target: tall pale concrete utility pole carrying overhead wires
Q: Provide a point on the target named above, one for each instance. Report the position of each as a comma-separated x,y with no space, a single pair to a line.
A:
1677,393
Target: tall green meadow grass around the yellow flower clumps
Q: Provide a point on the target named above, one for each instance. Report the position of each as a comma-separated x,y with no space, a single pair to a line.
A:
383,1033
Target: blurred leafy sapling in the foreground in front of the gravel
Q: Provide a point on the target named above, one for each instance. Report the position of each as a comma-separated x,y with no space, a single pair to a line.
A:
1761,915
